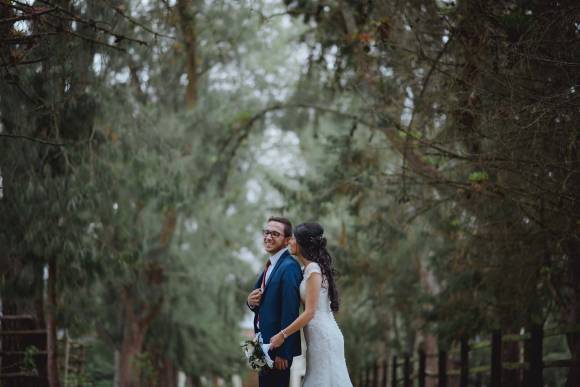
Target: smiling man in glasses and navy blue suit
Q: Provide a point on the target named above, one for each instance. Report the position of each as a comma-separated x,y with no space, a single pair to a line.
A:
275,300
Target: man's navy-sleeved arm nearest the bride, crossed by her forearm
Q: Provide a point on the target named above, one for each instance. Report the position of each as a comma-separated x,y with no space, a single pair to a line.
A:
290,307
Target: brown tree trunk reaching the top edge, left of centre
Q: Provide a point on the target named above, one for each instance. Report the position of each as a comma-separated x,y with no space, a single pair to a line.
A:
186,17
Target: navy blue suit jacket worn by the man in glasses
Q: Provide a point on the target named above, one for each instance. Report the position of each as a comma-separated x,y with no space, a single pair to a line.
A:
280,305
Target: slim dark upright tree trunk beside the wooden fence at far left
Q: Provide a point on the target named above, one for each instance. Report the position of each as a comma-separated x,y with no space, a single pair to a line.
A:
51,340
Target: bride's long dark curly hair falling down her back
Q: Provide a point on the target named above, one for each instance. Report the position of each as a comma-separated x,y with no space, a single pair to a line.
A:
312,243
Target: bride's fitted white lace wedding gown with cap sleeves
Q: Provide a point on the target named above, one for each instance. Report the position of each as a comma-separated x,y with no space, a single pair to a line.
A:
325,362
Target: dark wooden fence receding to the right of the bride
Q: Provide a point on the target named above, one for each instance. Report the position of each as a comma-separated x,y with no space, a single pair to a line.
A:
410,371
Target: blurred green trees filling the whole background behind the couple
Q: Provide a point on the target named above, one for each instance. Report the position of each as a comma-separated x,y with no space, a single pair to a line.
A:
143,145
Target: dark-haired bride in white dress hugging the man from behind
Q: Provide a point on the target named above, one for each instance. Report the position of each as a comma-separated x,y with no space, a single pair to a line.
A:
325,362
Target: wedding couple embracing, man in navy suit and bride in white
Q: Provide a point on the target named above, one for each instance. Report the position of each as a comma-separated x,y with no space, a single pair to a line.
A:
276,299
